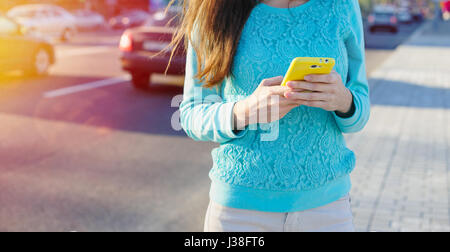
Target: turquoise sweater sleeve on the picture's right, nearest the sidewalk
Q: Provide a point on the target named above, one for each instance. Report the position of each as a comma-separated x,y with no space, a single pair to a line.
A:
357,79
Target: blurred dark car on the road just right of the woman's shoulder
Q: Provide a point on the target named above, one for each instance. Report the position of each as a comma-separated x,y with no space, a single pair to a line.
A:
383,20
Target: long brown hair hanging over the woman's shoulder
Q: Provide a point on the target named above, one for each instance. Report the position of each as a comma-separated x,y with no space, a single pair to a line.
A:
221,23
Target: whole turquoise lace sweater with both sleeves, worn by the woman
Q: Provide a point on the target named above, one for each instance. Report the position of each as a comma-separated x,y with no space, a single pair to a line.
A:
301,161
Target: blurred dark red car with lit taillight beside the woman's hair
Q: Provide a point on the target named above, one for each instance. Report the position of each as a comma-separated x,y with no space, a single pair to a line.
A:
138,45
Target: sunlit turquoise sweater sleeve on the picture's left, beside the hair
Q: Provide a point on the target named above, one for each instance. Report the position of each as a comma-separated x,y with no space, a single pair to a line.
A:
203,114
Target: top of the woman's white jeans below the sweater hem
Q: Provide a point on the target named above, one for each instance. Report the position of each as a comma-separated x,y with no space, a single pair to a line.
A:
334,217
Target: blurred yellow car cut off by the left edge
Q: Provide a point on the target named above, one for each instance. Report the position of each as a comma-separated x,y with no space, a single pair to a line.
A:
30,54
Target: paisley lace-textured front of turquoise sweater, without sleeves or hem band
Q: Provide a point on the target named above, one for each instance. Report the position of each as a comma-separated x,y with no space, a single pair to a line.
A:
310,150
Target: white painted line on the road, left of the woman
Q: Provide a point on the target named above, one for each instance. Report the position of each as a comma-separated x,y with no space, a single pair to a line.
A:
85,87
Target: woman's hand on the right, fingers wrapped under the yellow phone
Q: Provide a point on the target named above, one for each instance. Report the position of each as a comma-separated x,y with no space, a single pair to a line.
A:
323,91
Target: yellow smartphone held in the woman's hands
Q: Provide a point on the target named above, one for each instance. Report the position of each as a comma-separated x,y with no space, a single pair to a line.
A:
303,66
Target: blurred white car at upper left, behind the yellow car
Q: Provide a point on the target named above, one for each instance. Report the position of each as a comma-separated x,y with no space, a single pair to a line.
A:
50,20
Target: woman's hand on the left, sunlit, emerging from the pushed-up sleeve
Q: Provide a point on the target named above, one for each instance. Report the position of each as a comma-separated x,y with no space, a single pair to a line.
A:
267,104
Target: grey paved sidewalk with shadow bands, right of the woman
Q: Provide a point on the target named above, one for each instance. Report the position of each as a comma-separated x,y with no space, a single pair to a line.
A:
401,182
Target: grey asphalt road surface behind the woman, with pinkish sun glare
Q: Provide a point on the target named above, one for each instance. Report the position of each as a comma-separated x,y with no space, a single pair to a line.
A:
82,150
